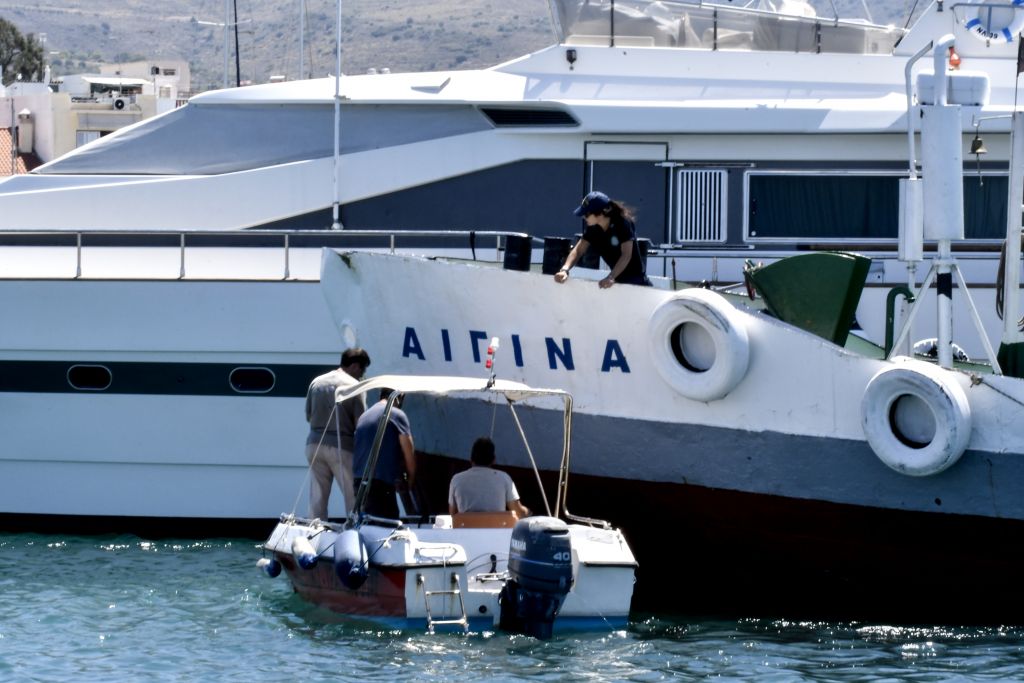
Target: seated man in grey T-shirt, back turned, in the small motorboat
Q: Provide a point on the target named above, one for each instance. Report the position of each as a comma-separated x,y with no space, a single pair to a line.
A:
483,489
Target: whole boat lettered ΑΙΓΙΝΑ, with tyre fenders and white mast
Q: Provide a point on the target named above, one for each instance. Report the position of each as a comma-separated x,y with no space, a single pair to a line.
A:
804,469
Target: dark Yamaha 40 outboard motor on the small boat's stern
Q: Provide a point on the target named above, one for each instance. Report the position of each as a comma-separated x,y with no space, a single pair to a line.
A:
541,576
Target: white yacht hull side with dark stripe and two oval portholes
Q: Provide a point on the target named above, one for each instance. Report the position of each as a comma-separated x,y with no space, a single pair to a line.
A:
134,400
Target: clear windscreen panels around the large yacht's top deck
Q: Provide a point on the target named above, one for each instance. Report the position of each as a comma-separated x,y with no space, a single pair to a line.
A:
696,24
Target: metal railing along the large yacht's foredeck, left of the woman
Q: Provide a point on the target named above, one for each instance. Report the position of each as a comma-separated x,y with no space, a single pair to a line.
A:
487,246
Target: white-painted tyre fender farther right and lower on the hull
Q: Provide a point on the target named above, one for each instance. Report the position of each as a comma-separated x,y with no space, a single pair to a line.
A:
916,418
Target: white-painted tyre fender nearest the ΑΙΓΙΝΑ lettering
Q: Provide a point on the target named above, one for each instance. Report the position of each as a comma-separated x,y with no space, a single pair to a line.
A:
700,346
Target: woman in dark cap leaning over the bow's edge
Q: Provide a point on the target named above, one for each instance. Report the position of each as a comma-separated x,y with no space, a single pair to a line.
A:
611,231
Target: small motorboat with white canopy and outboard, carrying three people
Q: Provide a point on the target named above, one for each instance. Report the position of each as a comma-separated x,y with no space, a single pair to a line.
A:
482,572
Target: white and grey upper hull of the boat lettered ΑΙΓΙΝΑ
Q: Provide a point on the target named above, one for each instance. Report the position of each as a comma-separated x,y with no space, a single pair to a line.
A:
801,397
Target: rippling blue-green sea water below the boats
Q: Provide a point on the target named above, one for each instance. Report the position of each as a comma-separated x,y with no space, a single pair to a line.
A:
123,609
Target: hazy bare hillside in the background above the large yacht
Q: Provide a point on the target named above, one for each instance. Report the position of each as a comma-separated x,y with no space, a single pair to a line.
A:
401,35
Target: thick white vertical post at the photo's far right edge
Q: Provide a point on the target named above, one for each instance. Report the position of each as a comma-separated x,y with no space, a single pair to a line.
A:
1011,284
